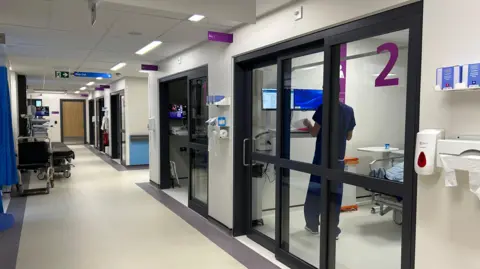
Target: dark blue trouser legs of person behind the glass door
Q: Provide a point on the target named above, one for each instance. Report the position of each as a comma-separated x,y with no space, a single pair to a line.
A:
313,203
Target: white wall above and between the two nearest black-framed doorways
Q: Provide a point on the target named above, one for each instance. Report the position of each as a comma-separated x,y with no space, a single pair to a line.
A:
318,14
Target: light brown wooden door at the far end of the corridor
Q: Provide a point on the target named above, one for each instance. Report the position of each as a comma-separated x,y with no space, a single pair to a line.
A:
73,119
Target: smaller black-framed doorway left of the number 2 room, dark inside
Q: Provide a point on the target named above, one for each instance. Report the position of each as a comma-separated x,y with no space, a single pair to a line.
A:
184,139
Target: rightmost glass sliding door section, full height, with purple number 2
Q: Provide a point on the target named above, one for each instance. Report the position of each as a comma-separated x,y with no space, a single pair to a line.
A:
373,89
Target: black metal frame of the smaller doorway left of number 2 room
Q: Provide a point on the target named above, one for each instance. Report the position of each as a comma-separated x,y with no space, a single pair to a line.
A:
165,181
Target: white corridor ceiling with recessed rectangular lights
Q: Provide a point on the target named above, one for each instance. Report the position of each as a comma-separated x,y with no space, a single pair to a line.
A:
47,35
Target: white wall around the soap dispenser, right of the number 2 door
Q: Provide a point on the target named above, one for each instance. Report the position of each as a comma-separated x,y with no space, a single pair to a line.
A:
448,218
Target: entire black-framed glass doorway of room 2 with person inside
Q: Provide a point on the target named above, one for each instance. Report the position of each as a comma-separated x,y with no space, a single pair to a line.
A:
309,142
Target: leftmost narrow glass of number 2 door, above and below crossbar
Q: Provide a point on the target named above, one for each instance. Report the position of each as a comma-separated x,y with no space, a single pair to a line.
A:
264,122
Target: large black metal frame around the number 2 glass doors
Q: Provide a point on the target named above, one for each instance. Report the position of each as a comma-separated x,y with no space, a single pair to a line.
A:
406,17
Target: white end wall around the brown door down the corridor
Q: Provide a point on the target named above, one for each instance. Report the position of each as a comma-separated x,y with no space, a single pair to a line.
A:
53,102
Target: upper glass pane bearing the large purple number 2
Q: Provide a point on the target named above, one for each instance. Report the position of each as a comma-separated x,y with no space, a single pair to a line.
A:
374,88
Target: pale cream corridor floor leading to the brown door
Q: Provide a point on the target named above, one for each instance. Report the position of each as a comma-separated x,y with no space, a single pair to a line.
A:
103,218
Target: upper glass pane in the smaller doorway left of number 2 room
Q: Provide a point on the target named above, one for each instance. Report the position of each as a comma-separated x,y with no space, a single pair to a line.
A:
199,110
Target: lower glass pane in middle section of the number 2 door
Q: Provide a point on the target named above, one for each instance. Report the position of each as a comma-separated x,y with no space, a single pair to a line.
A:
303,208
